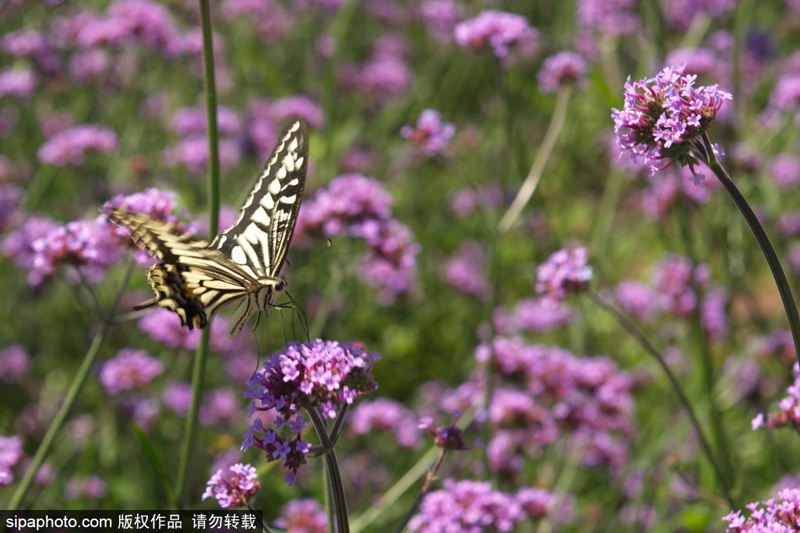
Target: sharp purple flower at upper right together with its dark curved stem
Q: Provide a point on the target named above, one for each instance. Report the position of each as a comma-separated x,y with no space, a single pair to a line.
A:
665,120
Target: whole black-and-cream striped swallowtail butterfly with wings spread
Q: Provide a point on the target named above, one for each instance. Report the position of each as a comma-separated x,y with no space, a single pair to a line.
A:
243,263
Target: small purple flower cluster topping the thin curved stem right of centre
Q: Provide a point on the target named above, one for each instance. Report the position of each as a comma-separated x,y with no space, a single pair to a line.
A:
565,272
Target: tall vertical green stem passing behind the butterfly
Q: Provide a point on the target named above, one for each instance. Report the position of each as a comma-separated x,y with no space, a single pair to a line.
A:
201,358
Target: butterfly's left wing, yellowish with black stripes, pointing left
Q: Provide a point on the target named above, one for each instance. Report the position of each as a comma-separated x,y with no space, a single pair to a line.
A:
193,280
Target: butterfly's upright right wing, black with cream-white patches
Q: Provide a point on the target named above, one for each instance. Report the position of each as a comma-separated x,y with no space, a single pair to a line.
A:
259,238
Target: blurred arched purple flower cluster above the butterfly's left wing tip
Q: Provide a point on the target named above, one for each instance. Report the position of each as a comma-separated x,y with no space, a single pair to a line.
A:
69,147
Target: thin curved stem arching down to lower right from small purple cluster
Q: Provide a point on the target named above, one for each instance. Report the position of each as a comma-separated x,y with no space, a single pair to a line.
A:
634,330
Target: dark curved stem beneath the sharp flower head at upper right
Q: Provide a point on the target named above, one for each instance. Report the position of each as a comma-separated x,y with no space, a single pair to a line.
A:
785,290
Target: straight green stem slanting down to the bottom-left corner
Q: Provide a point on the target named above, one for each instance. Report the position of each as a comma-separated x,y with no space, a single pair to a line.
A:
77,386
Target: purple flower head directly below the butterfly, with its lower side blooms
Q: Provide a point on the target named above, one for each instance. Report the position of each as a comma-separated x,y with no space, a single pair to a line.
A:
320,375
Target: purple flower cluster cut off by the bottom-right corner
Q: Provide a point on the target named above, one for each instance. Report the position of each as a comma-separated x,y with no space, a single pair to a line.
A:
781,515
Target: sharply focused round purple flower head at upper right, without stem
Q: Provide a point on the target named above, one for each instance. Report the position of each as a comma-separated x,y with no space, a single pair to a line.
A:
664,117
